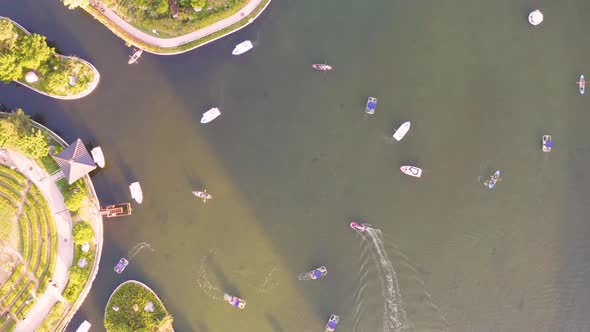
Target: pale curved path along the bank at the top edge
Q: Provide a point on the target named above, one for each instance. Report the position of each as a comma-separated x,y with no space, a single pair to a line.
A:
180,40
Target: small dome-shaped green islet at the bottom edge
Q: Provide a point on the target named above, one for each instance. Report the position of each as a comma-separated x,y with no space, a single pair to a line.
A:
133,306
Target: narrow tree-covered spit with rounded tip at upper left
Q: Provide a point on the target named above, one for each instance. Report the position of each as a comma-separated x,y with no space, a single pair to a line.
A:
27,59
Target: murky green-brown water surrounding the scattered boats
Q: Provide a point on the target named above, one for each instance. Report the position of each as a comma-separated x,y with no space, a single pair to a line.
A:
293,159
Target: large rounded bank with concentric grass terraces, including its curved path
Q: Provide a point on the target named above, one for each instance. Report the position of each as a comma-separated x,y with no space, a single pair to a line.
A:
29,239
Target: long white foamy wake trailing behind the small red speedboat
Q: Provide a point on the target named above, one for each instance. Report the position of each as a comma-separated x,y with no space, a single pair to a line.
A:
395,318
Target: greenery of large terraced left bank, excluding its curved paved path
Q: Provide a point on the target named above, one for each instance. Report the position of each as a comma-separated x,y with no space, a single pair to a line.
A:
30,235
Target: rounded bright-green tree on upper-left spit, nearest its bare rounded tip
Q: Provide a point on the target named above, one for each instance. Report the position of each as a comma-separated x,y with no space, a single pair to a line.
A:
32,50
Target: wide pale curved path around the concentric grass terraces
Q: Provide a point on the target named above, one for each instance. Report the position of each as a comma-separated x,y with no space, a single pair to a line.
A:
65,244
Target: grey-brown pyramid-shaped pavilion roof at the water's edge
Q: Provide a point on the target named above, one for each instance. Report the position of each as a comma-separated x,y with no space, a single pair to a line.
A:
75,161
